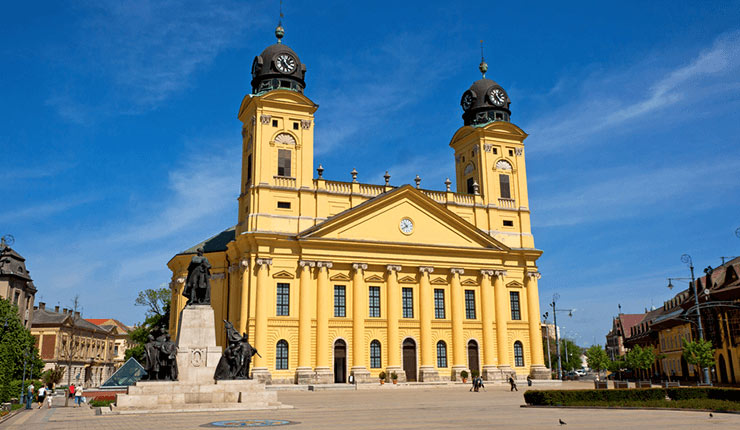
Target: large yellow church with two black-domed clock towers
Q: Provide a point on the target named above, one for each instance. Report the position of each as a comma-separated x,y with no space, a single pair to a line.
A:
335,279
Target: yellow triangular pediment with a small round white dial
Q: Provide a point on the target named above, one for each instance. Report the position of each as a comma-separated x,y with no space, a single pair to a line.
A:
380,220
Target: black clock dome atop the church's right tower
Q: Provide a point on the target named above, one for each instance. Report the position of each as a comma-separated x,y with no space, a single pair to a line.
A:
485,101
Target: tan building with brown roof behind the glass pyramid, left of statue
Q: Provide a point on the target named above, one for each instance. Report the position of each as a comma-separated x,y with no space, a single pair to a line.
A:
83,349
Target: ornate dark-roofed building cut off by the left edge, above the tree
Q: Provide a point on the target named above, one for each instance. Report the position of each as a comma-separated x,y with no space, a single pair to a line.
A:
16,284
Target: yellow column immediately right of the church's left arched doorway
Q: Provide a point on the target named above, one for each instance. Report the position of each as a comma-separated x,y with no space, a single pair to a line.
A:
359,310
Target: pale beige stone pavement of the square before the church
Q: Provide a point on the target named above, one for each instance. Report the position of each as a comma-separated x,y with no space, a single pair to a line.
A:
391,407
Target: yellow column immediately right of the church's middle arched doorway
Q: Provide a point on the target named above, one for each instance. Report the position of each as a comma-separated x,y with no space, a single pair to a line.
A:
427,369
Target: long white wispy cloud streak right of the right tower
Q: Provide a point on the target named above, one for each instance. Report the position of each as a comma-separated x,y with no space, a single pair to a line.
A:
603,101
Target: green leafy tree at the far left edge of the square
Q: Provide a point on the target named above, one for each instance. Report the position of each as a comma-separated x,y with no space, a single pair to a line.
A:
16,344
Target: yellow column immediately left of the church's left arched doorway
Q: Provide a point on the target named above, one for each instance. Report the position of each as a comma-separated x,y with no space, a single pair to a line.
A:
324,374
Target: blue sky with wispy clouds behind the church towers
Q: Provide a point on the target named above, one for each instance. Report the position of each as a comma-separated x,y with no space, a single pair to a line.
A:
121,146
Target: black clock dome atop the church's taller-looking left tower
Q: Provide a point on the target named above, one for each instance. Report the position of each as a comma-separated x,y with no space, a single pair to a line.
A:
278,66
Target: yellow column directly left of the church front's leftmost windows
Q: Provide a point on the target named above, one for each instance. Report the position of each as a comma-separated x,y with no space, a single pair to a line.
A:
260,371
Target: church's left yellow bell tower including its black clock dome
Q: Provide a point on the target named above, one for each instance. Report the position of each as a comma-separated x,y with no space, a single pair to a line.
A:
277,134
